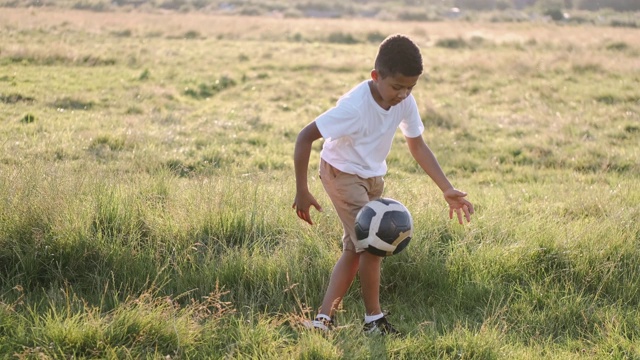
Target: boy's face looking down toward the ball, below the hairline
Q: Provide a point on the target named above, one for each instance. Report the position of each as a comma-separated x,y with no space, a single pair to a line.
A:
391,90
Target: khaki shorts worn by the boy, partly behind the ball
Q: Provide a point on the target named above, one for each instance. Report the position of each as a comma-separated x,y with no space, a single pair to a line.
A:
349,193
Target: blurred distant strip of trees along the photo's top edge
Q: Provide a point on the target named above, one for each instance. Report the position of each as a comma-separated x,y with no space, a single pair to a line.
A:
417,10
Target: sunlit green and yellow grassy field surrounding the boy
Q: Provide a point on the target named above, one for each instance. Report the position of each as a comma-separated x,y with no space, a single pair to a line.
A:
146,182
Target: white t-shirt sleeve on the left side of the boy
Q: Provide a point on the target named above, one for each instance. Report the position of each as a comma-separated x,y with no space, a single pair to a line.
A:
339,121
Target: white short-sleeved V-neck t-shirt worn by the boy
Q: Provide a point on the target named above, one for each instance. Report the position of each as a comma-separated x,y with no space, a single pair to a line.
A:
358,133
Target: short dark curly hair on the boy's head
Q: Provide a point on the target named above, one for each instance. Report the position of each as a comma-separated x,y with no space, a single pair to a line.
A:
398,55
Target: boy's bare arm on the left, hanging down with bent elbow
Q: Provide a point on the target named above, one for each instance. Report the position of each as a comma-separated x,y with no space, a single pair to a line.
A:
304,200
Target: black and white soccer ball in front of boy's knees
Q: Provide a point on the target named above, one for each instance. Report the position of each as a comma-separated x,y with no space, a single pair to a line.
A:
384,227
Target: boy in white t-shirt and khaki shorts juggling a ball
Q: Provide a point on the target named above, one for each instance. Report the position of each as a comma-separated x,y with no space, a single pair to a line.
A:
358,134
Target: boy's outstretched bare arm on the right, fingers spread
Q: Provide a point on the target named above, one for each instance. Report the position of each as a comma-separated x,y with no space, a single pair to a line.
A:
428,162
